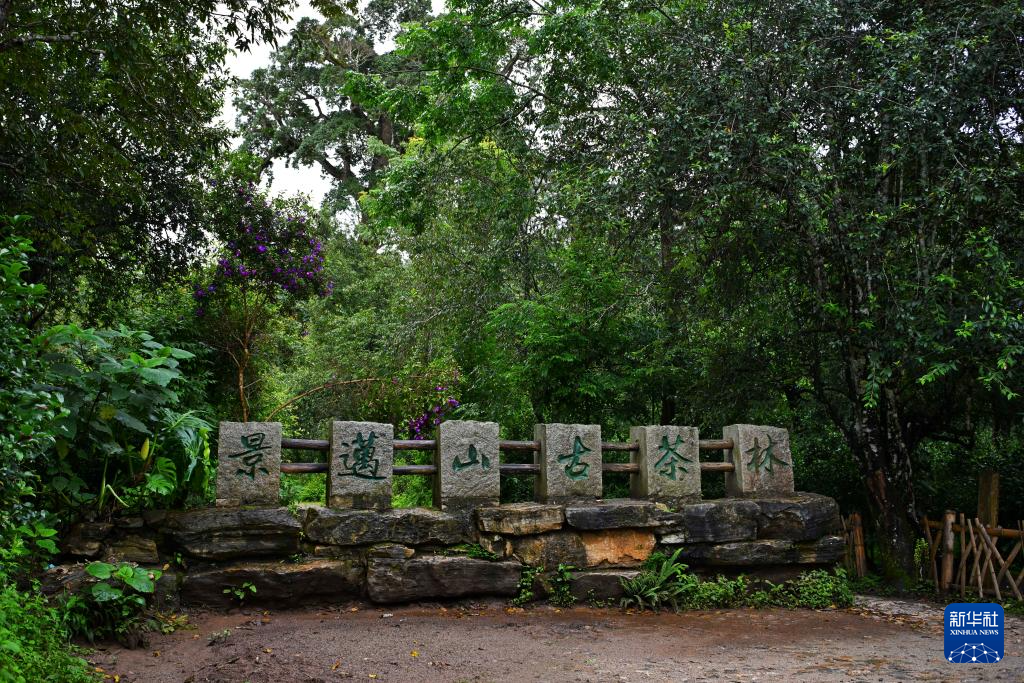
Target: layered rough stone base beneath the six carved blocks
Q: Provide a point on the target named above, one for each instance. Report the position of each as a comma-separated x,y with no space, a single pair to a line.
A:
320,554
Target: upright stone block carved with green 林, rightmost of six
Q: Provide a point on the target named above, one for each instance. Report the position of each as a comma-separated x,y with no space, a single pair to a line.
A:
762,459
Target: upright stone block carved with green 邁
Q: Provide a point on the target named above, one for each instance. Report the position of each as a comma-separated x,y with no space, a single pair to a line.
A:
362,465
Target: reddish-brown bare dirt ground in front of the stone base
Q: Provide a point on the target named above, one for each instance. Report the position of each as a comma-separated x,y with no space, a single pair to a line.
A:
879,641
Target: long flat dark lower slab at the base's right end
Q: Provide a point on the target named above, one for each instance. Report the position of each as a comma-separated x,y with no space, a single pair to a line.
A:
778,551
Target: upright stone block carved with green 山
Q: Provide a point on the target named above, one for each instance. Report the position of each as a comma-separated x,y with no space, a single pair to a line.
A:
467,460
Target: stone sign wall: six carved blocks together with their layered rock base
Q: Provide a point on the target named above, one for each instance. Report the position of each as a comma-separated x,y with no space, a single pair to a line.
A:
358,546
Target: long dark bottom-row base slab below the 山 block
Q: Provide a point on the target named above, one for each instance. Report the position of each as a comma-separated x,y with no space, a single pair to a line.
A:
438,577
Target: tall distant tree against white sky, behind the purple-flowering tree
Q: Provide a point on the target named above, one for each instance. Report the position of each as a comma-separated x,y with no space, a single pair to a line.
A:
300,109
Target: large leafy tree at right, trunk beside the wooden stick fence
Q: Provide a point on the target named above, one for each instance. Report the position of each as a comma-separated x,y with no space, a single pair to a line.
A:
823,198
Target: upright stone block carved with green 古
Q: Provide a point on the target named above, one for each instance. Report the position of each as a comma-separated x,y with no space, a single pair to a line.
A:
571,462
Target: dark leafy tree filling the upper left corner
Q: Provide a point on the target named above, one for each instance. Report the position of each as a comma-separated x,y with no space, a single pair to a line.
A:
109,113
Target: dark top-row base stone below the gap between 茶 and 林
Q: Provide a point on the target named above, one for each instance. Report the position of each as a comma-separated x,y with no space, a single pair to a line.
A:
718,522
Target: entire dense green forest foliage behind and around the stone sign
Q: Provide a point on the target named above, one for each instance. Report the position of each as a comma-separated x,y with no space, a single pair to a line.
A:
805,215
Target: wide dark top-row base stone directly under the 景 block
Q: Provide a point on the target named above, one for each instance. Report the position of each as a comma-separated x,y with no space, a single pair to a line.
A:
223,534
